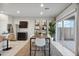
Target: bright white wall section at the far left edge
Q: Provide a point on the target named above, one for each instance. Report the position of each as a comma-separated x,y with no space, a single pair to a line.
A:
3,23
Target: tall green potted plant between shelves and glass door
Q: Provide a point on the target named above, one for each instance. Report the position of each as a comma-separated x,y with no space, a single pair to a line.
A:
52,29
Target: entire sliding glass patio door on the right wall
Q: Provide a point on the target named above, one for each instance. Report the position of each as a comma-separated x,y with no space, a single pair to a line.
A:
66,32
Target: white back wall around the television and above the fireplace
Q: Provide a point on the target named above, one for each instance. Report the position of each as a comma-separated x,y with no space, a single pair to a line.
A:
31,24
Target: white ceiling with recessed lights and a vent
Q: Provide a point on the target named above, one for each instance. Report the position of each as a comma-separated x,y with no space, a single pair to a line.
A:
33,9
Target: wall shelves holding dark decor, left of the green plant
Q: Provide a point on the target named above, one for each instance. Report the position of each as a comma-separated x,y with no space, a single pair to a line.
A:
41,26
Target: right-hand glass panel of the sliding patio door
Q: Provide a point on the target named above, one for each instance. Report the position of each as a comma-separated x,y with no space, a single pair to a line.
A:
69,33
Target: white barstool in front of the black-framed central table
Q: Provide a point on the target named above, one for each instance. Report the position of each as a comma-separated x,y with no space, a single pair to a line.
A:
40,43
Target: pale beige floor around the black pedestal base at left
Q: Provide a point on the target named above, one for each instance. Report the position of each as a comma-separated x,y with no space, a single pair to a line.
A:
16,46
